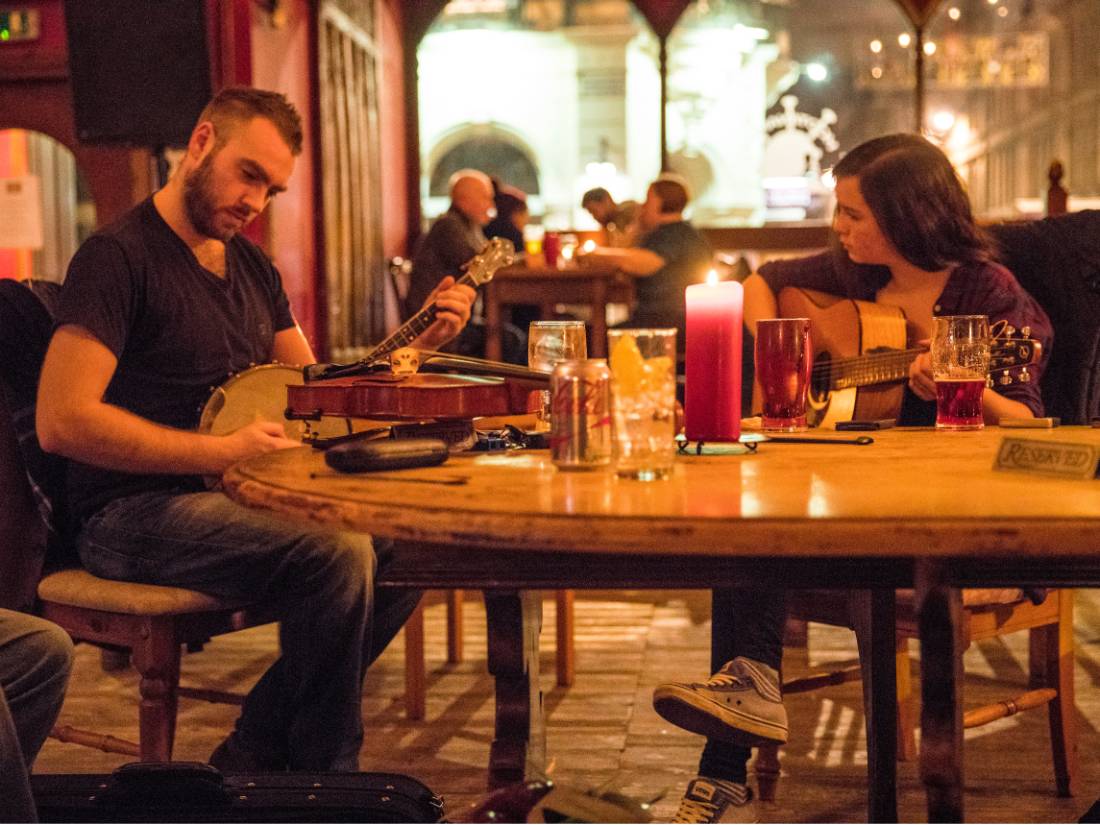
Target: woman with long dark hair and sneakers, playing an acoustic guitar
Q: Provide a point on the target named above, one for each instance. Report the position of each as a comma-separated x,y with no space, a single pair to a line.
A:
907,238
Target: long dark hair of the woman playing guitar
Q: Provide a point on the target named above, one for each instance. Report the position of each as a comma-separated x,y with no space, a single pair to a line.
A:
918,200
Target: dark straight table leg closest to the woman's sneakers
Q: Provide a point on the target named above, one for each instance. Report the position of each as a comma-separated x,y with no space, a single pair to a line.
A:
875,619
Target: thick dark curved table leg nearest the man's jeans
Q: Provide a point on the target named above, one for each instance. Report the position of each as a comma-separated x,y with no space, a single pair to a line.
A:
519,752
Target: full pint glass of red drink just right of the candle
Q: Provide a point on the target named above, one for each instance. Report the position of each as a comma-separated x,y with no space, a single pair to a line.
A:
784,361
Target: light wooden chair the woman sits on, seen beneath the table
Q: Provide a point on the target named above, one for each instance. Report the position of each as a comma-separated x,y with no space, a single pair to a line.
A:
987,614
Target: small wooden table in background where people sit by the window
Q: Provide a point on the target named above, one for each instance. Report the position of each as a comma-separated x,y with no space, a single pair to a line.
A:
595,285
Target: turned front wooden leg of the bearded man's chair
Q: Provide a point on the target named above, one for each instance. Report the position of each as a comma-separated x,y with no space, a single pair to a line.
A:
157,661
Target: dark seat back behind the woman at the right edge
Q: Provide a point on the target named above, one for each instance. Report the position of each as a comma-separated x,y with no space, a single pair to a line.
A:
1058,260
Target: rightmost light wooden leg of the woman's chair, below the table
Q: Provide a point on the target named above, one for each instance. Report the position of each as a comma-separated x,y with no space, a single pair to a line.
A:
1052,665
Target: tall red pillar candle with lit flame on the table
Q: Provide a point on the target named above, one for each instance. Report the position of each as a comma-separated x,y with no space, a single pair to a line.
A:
713,381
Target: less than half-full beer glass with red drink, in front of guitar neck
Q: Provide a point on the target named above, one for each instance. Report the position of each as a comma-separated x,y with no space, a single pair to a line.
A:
960,366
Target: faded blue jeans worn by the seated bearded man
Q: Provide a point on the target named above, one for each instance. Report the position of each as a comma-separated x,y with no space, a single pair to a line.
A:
304,713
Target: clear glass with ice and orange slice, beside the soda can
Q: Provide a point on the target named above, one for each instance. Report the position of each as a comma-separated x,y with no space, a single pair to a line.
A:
644,401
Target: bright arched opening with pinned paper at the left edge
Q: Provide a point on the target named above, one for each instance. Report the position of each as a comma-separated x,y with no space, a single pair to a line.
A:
56,208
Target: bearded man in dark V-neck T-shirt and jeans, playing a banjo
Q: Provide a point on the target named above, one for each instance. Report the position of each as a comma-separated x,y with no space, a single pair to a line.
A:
157,310
